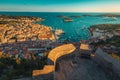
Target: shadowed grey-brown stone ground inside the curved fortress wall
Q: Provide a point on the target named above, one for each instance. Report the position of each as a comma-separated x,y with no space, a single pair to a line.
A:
86,69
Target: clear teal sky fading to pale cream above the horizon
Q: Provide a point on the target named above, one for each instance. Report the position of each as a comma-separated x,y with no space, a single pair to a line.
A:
60,5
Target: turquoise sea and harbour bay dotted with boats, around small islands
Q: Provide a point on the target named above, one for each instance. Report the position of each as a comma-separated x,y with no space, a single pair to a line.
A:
74,31
